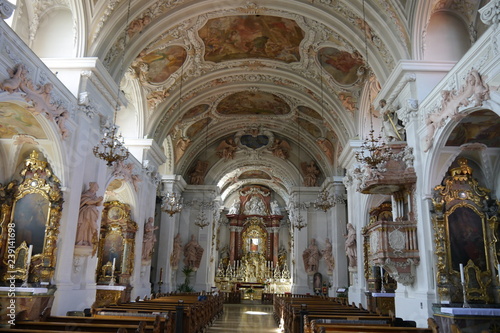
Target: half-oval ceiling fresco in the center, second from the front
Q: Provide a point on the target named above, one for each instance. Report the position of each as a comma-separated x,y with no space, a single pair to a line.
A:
253,103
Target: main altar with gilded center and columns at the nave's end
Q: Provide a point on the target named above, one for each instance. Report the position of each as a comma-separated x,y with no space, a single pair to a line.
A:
254,264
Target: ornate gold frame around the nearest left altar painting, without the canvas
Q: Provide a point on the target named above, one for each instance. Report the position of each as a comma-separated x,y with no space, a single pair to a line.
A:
37,178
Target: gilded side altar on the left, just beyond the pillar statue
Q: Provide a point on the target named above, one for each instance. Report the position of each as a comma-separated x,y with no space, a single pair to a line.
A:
116,222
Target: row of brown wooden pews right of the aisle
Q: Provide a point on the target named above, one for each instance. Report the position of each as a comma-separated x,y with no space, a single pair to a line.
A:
314,314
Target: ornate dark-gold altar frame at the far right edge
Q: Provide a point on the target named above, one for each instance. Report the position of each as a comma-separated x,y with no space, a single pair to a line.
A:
460,191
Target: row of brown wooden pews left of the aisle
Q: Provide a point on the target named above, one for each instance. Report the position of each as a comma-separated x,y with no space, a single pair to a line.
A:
175,313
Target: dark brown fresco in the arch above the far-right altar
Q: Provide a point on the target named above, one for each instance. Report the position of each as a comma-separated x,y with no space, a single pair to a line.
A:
480,127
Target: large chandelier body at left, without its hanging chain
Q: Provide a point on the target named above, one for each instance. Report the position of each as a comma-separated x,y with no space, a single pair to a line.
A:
111,148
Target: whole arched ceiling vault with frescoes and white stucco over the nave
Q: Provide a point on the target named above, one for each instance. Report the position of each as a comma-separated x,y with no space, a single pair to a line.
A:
294,71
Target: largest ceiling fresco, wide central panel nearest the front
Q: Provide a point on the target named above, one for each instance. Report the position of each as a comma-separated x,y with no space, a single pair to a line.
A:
253,36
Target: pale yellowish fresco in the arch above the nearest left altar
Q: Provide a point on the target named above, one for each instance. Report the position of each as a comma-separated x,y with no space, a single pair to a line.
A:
16,120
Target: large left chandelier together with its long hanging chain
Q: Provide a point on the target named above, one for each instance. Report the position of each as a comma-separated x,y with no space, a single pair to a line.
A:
111,147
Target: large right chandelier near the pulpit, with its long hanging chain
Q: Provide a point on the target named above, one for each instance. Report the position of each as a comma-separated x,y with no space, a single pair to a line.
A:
373,151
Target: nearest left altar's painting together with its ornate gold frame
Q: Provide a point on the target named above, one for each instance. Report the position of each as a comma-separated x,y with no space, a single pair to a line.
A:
33,213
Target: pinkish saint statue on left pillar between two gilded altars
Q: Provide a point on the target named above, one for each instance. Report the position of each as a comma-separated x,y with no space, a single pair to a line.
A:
86,233
